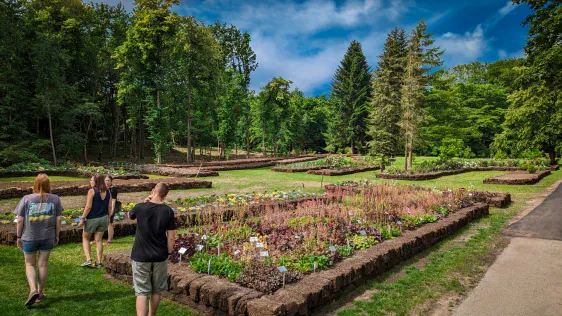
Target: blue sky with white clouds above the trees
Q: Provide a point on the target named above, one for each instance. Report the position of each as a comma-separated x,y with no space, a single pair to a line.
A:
304,41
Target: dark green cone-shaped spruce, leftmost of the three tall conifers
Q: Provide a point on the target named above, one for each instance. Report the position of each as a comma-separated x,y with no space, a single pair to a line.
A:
351,92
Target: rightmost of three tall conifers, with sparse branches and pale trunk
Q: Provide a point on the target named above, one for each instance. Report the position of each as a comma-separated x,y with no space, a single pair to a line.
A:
421,59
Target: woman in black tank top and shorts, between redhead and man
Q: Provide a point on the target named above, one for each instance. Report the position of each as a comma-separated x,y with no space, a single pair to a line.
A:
95,218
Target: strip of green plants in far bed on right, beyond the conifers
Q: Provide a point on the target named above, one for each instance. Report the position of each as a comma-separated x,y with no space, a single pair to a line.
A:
530,165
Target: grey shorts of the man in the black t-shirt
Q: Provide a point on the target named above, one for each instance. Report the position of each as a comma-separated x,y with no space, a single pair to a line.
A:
150,277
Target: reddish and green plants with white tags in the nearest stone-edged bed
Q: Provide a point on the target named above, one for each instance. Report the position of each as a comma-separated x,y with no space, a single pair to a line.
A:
254,251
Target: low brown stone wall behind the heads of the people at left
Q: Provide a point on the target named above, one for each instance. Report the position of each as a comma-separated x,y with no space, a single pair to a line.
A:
82,189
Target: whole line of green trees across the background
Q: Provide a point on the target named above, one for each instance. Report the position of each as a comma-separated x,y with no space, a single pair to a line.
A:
80,78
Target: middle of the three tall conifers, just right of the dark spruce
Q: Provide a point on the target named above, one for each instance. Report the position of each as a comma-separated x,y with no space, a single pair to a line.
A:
385,115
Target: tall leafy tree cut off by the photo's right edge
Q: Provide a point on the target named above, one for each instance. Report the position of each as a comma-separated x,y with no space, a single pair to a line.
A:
540,85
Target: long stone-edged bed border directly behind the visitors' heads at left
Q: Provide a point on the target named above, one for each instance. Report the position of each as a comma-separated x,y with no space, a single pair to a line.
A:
9,190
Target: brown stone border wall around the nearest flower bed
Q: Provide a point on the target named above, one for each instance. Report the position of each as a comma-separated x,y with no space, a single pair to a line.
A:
216,296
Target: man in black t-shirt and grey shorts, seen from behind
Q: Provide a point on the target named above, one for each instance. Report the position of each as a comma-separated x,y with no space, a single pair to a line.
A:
154,242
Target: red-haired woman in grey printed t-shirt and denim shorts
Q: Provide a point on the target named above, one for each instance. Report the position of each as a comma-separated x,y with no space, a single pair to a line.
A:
38,229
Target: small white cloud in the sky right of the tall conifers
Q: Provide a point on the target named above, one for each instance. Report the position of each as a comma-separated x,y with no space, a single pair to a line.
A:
463,48
